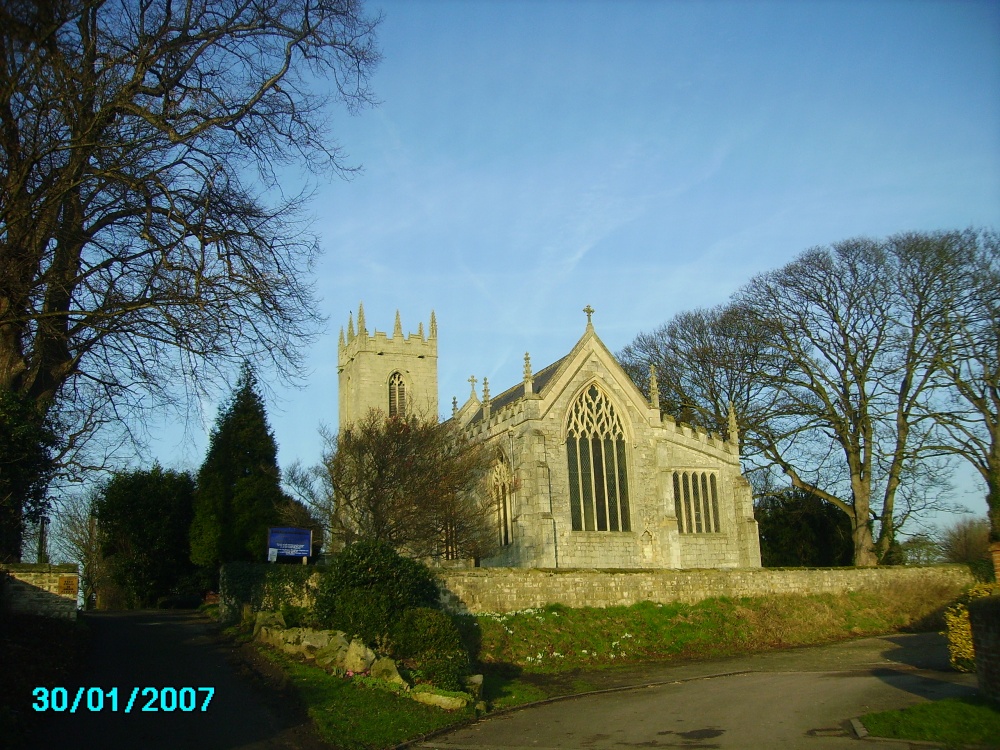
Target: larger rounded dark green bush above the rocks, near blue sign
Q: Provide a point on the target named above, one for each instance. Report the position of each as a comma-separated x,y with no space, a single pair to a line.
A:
368,587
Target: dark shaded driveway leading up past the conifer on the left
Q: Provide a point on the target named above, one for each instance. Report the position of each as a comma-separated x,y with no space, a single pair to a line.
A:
171,649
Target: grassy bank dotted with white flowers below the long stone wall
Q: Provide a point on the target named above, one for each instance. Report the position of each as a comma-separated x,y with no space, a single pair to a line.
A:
557,638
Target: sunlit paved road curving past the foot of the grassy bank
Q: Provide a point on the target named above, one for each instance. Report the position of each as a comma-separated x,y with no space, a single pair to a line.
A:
803,698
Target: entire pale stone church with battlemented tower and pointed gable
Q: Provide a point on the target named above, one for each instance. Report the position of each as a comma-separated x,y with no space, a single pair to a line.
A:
588,473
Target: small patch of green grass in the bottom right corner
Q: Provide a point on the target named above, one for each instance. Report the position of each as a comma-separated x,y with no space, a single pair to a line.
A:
956,722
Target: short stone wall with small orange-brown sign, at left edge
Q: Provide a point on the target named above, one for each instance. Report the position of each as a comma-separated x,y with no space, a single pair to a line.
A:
49,590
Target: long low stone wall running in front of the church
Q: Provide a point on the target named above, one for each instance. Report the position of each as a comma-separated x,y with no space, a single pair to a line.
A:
511,589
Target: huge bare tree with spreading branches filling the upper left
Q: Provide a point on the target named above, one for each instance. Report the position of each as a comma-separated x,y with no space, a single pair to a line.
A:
139,247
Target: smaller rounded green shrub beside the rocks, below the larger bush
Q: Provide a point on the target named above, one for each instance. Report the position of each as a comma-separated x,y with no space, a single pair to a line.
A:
428,642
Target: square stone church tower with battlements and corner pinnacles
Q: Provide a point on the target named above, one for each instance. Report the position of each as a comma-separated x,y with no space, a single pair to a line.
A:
394,373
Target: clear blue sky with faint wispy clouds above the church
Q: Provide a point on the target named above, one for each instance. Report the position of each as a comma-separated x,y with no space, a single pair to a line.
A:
530,158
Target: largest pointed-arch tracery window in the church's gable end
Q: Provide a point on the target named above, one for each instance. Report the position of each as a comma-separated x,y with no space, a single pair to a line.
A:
598,479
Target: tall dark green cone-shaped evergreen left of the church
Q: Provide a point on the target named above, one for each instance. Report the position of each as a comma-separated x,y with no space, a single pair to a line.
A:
239,493
